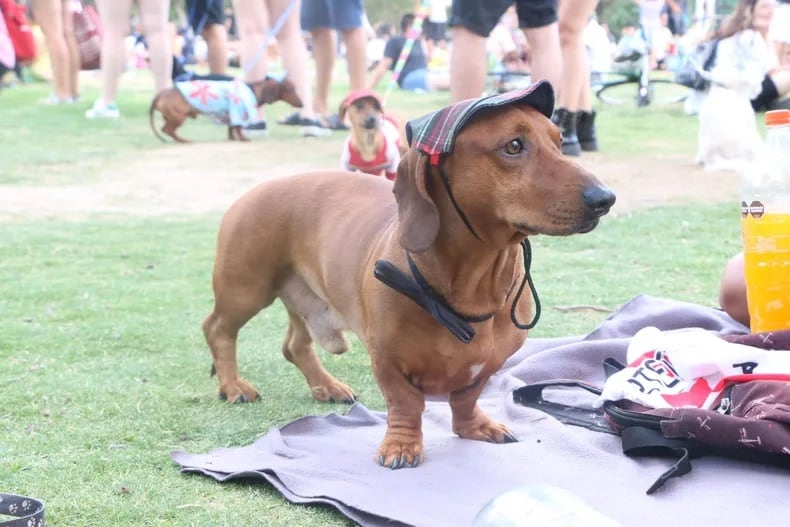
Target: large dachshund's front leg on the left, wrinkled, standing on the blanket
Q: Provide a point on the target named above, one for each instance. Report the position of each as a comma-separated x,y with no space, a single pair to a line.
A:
402,443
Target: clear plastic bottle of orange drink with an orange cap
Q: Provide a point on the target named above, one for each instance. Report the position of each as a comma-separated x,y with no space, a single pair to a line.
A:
765,222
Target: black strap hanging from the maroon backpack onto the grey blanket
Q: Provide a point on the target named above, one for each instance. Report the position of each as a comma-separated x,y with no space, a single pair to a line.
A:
641,441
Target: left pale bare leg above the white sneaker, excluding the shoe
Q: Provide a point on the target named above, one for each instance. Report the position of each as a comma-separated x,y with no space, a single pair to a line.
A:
115,15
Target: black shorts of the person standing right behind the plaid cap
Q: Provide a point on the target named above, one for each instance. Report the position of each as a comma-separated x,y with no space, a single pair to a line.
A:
481,17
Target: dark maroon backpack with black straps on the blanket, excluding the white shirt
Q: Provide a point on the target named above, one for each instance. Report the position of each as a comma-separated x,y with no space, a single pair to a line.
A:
751,423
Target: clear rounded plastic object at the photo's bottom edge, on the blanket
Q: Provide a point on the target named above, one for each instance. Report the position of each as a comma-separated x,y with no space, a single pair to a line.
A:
540,506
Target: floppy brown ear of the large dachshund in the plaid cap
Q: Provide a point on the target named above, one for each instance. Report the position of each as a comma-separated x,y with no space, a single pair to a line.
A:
417,213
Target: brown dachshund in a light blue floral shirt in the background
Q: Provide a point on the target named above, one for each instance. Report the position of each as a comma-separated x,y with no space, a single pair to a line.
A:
227,99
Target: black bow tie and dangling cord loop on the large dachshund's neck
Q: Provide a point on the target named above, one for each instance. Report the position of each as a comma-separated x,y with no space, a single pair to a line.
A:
421,292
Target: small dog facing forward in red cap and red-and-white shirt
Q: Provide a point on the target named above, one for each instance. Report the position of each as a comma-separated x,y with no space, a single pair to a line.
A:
375,141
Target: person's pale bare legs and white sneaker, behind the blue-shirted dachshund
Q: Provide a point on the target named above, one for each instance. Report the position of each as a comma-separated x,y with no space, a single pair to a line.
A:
115,17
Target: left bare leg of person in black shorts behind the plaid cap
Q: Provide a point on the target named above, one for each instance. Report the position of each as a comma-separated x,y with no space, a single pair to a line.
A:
468,64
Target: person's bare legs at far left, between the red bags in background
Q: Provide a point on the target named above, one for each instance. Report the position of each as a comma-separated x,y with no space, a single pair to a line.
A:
56,19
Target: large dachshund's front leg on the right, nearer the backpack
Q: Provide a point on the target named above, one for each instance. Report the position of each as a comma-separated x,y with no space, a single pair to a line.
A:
470,422
